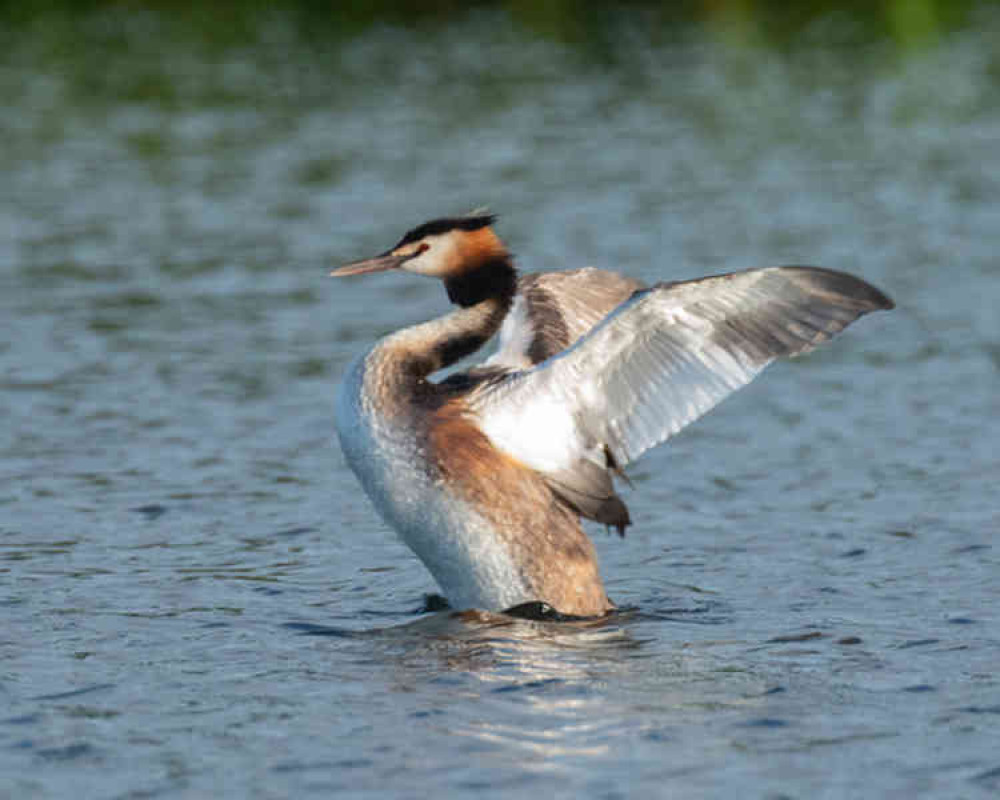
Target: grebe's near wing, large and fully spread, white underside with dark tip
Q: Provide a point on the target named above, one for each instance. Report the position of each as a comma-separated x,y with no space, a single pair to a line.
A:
659,361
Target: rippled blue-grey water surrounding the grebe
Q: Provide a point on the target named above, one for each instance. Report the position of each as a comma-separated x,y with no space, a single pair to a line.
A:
196,599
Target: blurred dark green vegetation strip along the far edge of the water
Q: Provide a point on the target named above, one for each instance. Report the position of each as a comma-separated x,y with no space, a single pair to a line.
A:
588,23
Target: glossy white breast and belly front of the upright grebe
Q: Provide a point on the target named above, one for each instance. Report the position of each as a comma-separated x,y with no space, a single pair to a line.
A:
462,550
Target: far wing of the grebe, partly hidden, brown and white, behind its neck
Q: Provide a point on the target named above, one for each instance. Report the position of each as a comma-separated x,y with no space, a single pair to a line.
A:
553,309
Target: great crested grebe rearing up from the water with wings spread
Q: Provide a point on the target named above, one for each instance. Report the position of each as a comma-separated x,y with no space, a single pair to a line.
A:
486,474
